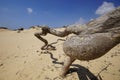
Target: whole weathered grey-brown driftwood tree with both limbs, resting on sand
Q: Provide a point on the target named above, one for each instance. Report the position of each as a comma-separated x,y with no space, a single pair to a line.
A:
92,40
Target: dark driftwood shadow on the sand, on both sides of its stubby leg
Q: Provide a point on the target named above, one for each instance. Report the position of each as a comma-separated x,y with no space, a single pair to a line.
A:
82,72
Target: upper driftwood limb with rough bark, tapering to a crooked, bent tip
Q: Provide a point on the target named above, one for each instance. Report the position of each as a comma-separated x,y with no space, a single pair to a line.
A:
109,22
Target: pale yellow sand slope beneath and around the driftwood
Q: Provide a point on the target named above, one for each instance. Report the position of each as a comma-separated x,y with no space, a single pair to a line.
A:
21,59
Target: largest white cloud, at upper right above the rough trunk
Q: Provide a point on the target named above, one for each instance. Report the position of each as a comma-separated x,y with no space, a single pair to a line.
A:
105,8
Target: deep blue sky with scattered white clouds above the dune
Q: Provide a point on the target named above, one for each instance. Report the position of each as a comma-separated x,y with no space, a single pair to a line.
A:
54,13
